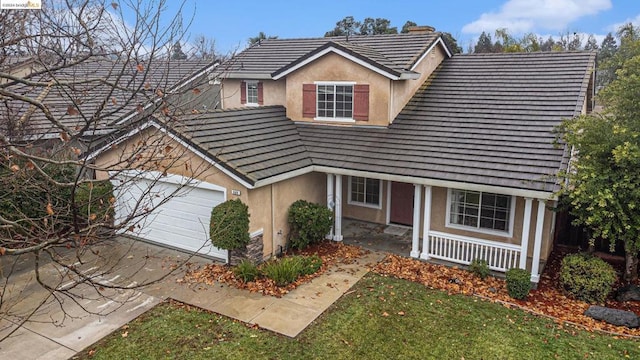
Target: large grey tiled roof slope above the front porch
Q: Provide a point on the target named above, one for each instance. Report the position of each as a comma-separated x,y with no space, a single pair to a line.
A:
483,119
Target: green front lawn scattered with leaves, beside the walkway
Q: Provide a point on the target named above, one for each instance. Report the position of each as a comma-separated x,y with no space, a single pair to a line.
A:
383,318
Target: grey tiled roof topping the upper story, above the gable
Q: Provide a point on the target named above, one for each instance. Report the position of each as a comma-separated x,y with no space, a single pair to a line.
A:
395,53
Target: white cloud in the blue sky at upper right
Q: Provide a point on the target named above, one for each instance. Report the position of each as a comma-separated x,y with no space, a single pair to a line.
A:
521,16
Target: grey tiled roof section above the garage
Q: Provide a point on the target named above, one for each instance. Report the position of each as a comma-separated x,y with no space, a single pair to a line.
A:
252,143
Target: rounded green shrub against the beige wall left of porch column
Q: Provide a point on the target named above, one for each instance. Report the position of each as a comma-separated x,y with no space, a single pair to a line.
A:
309,223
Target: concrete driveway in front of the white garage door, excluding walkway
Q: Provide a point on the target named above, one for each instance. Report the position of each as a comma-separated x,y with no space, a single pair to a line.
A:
60,325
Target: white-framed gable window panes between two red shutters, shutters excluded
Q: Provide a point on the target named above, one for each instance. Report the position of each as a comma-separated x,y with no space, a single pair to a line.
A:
335,101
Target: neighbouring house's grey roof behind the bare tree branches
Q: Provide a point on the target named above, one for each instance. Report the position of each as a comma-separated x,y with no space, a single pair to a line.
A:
122,86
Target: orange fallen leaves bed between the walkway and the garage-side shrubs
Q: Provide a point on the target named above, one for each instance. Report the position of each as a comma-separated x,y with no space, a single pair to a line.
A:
331,254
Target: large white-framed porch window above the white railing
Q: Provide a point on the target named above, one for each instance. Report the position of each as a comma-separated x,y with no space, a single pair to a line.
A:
480,210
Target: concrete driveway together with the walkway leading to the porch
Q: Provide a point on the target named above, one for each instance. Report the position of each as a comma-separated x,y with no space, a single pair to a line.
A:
59,331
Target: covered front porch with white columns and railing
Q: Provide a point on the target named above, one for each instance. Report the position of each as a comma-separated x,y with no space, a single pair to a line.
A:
443,241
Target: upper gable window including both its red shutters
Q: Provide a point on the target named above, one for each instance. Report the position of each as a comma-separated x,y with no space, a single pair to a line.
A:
335,101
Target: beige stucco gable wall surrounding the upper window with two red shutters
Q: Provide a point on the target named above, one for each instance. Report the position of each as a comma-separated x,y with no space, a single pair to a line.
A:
333,67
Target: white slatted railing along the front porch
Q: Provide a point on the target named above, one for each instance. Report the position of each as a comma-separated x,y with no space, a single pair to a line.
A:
462,250
